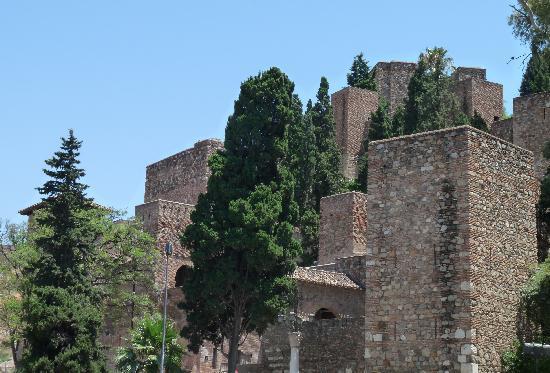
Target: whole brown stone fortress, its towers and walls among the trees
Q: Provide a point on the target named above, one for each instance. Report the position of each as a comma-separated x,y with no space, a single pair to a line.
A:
423,276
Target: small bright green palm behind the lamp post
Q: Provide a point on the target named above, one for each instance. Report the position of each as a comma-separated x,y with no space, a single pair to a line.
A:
143,353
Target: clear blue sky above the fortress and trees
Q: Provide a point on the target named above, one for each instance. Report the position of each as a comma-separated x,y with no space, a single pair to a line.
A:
141,80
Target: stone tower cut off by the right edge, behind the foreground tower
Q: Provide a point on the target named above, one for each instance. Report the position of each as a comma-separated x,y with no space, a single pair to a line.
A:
532,126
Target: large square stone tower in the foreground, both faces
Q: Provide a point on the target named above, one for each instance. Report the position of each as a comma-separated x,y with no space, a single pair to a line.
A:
424,305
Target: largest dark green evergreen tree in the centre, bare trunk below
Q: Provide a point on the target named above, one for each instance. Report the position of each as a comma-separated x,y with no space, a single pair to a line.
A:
241,235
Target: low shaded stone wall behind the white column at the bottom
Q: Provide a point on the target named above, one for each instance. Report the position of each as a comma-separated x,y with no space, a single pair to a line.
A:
327,346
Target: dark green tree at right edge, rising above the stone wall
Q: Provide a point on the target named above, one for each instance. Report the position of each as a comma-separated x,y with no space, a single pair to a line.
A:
536,77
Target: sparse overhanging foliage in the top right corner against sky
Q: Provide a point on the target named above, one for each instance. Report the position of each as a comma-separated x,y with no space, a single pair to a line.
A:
530,20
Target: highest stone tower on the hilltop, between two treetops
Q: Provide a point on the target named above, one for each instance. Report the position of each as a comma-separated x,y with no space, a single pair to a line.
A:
392,81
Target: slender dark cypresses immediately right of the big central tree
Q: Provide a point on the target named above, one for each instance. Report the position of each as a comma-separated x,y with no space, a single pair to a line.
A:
314,160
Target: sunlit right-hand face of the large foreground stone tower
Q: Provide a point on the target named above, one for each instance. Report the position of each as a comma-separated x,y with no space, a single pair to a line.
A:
503,192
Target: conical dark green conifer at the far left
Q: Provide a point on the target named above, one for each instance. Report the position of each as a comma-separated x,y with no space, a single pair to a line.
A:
60,308
